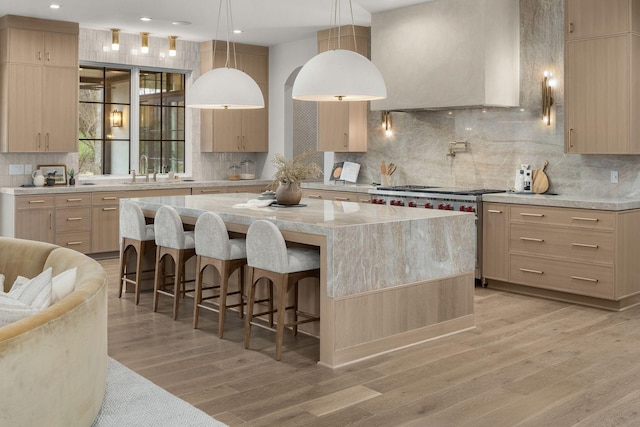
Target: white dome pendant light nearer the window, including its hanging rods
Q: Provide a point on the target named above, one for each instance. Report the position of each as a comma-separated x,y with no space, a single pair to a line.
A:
225,87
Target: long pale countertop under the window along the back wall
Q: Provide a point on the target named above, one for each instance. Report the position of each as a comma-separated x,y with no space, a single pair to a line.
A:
106,185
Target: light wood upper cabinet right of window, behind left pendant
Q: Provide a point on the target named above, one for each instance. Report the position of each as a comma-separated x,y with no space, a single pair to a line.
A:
236,130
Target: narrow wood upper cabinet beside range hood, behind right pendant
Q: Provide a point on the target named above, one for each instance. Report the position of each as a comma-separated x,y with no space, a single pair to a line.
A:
342,126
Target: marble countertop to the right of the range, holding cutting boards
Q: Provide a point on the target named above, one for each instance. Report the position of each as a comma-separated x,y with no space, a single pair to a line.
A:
567,201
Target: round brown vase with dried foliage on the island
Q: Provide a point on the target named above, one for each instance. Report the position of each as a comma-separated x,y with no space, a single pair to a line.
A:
289,175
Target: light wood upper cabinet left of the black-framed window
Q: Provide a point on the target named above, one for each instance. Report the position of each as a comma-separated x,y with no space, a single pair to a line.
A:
38,85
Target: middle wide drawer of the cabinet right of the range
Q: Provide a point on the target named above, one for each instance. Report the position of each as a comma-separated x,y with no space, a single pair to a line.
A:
573,243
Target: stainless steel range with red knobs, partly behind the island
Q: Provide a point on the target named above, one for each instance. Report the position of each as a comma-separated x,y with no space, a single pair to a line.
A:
444,198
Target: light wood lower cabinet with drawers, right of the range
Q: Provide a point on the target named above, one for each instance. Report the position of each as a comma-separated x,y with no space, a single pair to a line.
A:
580,255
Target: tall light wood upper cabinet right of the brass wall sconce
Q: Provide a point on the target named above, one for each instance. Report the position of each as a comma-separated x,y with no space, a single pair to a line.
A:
602,84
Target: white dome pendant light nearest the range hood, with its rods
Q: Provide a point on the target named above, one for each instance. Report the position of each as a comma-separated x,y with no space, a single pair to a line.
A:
339,75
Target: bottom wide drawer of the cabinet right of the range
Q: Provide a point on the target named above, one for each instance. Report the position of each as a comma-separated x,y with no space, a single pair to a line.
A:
577,278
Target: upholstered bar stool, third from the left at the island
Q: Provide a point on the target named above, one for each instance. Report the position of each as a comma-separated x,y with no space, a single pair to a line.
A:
215,248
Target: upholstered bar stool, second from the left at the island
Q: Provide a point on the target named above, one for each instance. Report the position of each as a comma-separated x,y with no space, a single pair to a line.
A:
171,241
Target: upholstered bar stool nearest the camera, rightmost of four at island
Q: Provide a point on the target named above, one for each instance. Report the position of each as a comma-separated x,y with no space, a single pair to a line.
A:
268,257
